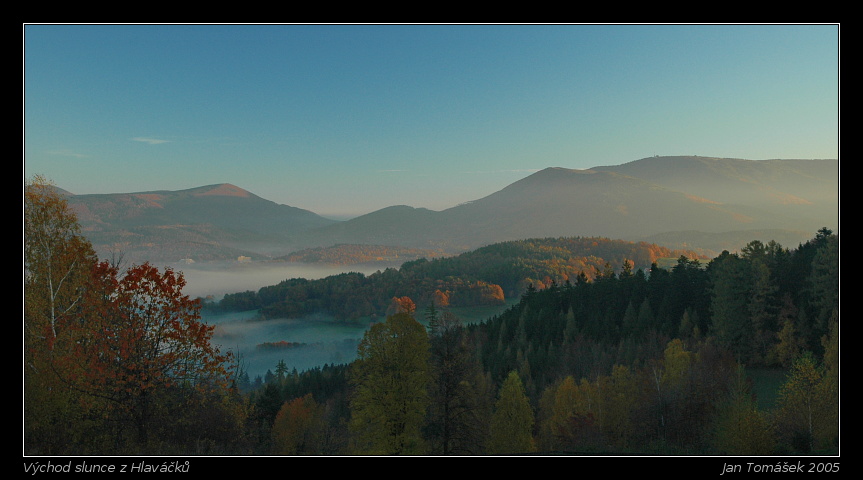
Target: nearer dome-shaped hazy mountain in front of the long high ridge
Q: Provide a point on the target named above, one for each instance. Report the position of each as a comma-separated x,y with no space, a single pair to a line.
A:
563,202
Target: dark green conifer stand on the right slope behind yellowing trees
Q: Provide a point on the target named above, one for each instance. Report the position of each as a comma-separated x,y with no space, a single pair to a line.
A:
762,305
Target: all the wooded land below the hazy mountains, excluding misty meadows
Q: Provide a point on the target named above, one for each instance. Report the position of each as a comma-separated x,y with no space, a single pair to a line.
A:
732,355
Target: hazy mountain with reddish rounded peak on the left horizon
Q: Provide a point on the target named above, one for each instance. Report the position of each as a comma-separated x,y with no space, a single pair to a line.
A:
215,222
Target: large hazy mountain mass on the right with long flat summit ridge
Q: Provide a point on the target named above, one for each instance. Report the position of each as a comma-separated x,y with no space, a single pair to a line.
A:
650,198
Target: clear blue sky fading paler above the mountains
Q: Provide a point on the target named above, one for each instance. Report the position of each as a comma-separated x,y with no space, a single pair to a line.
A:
347,119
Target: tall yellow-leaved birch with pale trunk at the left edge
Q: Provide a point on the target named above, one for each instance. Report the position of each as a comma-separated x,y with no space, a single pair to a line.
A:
57,262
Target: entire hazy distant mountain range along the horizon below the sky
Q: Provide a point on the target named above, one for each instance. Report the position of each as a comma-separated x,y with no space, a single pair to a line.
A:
696,203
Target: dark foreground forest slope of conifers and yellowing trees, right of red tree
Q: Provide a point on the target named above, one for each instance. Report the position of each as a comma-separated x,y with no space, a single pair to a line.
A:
634,363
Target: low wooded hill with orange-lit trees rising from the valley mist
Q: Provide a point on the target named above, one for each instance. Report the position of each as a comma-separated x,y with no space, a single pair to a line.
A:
485,276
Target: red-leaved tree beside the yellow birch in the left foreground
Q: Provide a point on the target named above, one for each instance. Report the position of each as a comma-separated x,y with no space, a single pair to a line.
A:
142,336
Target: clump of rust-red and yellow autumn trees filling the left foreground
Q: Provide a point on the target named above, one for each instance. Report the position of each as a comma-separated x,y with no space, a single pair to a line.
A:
106,350
